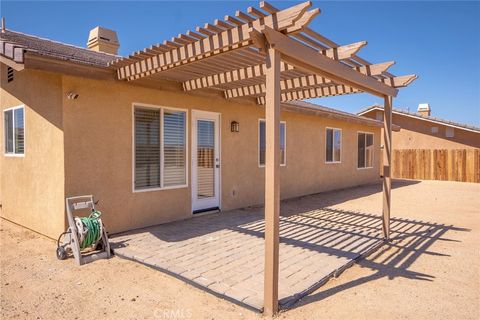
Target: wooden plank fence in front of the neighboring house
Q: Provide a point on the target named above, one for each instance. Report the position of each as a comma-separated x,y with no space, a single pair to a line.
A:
437,164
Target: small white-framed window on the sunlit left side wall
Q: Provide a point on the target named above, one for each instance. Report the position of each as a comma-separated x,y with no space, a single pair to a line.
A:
14,131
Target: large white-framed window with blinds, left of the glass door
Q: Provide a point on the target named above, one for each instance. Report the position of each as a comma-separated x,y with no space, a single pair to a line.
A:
160,148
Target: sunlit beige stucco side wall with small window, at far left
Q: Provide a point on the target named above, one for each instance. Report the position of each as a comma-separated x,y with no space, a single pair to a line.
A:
32,187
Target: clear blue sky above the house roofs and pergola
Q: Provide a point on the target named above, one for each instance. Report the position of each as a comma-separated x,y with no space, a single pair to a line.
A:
437,40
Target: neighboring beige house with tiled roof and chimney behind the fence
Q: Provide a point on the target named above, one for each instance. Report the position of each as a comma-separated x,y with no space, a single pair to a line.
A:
422,131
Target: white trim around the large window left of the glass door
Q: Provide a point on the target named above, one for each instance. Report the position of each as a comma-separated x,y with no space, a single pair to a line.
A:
187,163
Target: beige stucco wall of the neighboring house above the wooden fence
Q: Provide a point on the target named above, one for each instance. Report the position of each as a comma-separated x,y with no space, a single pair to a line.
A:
417,134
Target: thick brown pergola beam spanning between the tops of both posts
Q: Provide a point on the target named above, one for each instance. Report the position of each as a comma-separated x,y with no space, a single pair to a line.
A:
310,60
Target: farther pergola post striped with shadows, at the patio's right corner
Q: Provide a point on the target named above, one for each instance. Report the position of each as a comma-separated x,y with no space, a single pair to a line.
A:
387,161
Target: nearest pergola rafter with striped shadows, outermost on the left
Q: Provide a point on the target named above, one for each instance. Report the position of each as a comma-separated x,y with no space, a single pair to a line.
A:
217,42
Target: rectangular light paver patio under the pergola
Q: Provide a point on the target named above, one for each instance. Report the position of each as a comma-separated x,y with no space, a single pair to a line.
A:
224,252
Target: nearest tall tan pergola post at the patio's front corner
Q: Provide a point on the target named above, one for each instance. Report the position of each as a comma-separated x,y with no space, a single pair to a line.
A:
272,180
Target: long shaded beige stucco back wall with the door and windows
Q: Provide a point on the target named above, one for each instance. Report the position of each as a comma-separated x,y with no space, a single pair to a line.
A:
98,153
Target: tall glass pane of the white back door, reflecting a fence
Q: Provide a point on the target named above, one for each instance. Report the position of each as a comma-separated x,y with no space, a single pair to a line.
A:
205,159
